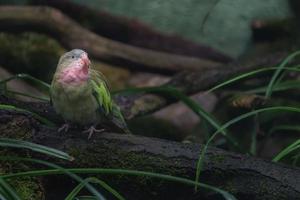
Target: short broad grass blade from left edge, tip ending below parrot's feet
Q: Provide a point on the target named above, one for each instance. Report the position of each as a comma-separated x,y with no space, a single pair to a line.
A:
7,142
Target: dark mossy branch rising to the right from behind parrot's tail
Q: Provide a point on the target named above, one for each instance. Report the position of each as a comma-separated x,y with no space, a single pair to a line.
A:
192,82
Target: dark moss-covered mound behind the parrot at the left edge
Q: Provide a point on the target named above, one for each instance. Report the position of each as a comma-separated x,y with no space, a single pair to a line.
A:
31,53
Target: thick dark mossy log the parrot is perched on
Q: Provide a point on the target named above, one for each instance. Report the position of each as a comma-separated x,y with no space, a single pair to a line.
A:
245,177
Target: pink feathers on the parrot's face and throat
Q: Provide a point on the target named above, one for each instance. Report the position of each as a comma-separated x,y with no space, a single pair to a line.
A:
77,73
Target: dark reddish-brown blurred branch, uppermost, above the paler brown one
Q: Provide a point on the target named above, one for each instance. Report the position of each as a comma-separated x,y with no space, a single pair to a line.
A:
131,31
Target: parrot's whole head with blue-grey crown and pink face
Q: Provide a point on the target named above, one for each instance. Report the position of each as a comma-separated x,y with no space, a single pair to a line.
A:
73,66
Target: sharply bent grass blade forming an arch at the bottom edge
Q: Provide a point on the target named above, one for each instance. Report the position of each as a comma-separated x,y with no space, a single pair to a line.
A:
78,188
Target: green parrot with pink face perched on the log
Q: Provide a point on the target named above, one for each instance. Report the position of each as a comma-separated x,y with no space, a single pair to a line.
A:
81,95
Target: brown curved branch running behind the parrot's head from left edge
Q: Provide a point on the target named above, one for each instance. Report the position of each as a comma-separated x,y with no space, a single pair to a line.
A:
71,35
